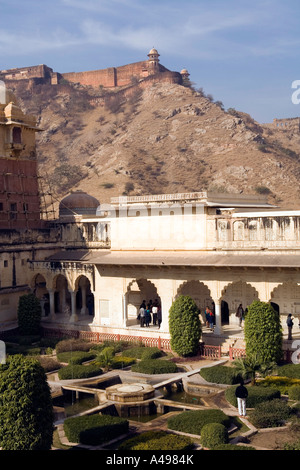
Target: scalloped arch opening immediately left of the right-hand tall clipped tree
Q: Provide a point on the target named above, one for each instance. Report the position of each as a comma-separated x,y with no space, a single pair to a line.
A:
236,293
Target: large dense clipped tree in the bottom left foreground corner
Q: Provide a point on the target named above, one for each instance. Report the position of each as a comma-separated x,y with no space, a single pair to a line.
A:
26,411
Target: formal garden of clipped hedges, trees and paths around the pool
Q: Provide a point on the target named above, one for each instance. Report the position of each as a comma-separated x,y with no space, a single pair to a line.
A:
27,419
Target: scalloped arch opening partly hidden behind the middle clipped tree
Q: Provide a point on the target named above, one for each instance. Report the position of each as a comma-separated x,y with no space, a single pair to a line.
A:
200,293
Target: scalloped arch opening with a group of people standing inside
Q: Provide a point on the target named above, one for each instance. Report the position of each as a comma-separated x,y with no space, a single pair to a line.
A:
139,290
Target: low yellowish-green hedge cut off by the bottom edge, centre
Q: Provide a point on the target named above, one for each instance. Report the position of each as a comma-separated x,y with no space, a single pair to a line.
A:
157,440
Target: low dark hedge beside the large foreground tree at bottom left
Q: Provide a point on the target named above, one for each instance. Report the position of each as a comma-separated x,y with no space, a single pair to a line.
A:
94,429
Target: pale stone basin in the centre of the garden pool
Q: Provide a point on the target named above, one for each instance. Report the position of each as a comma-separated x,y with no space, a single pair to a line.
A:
125,393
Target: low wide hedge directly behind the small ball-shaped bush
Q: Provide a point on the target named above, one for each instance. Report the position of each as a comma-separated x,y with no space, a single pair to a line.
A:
192,422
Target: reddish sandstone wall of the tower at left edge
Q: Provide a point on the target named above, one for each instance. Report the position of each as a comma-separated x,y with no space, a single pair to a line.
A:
19,185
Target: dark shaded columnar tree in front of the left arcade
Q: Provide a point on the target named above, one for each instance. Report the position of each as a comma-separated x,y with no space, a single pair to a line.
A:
29,314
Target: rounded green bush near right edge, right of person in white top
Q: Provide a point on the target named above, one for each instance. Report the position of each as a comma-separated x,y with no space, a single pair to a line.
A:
270,414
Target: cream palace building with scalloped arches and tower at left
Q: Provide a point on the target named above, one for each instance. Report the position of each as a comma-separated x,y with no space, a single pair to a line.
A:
93,266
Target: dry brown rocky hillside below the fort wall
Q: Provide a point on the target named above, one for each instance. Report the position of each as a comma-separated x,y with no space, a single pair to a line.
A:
163,139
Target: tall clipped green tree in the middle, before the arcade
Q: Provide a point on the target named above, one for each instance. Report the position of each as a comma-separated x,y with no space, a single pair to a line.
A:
185,326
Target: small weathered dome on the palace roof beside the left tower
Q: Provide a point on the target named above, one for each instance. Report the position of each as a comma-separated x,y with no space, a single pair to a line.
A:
78,203
